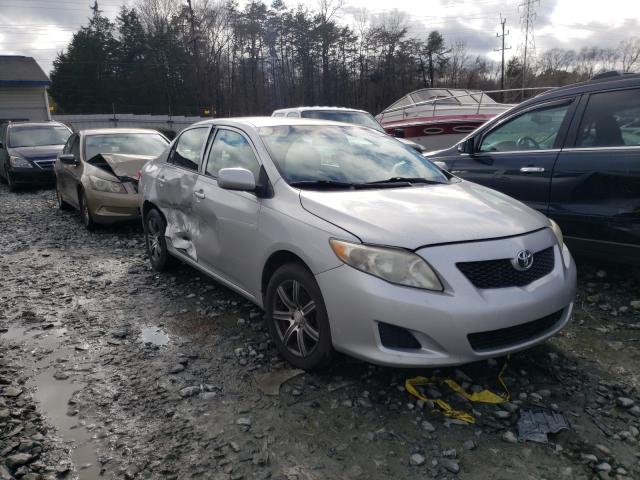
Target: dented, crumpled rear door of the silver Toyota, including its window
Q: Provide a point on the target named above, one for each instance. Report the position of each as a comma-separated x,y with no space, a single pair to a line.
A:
175,183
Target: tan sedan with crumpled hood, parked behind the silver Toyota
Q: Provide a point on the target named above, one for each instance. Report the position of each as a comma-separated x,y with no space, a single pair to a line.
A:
97,172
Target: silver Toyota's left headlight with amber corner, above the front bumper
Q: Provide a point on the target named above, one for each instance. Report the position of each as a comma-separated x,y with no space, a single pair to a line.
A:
391,264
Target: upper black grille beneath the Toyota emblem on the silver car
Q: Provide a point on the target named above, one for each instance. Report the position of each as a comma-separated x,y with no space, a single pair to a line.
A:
501,273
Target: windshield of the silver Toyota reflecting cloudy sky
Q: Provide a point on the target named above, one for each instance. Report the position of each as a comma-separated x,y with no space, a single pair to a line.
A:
336,154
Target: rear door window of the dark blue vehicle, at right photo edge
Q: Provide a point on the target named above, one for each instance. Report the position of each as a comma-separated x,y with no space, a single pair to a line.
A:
611,119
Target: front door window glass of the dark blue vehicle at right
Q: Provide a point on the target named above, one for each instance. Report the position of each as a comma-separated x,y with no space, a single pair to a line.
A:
533,130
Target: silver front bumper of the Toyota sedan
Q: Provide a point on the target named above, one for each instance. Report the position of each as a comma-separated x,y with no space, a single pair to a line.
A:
442,321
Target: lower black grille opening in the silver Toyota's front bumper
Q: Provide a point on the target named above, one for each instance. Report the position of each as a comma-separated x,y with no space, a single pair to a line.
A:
507,337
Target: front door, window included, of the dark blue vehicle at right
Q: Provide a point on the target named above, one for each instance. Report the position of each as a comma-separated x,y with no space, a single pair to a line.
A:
517,155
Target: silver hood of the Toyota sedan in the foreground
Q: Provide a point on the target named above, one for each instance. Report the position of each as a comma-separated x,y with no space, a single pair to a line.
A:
413,217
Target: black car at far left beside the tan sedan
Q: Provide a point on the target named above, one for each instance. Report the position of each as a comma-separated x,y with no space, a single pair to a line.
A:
28,151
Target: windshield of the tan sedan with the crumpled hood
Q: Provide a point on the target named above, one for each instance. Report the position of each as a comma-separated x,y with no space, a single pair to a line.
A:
149,144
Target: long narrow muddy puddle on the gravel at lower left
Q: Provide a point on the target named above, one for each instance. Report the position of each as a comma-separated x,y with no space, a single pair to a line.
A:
52,395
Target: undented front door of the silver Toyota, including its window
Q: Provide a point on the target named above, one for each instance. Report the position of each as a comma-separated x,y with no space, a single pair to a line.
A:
228,220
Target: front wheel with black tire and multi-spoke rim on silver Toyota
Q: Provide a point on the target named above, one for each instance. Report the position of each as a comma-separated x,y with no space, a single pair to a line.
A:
308,344
